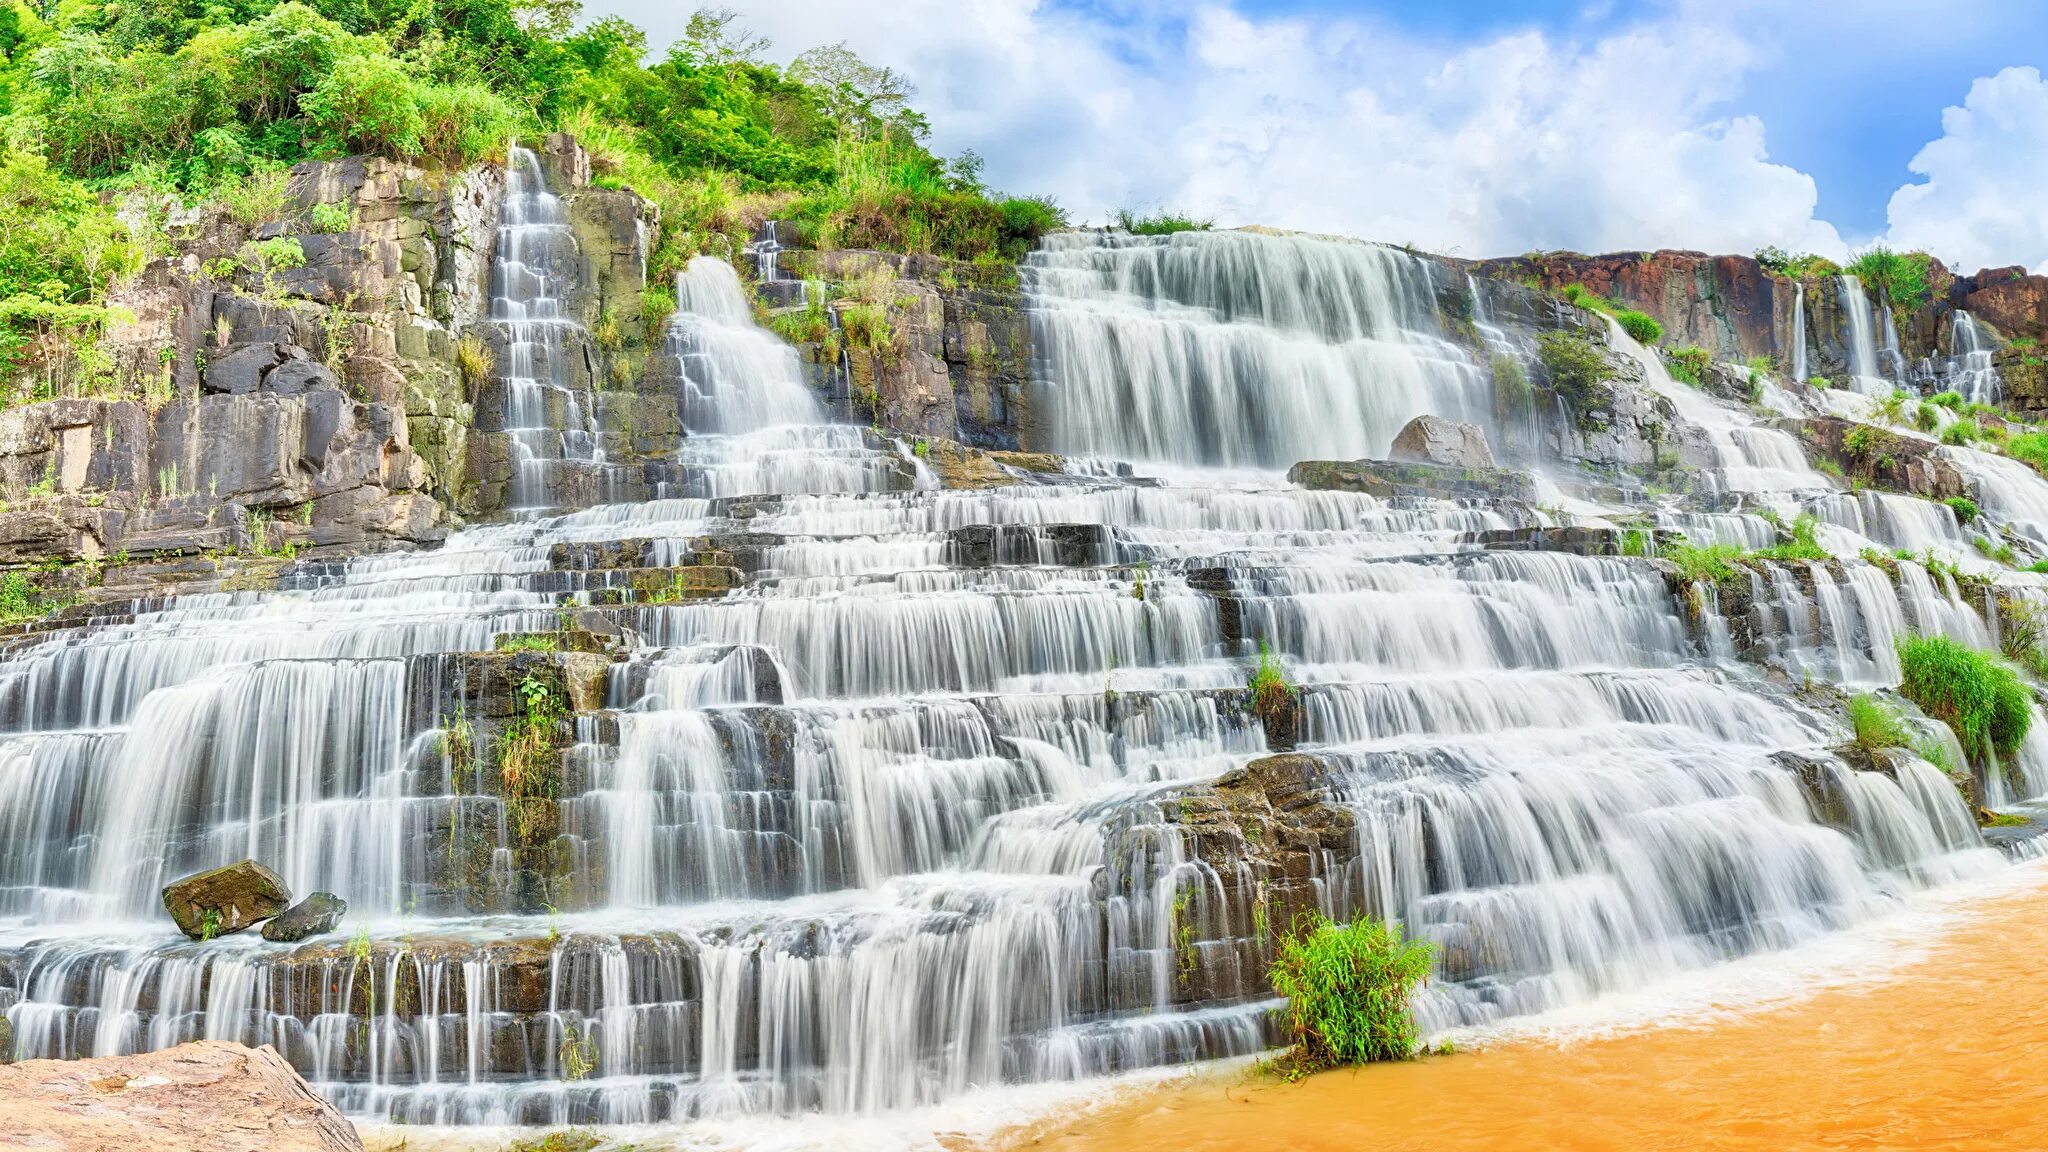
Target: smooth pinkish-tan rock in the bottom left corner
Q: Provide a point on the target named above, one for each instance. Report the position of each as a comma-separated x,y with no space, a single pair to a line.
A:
196,1098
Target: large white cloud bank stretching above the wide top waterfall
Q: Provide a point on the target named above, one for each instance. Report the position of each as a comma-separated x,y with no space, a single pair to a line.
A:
1336,124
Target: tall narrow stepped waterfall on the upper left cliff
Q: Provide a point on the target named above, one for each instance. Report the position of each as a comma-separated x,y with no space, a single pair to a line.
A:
550,403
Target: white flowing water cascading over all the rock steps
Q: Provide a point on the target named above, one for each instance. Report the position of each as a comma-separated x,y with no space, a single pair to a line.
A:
910,813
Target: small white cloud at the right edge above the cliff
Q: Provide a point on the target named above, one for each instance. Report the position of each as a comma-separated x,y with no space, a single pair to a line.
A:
1986,192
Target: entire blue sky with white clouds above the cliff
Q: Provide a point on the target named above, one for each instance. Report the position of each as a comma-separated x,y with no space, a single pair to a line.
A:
1486,128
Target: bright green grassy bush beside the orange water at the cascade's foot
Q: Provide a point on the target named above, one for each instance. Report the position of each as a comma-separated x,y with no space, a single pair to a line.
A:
1349,993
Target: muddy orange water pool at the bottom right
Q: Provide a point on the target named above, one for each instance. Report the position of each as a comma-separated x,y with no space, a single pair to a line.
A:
1945,1053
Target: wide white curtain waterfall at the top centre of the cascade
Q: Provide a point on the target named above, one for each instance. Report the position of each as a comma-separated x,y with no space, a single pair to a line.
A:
1242,349
